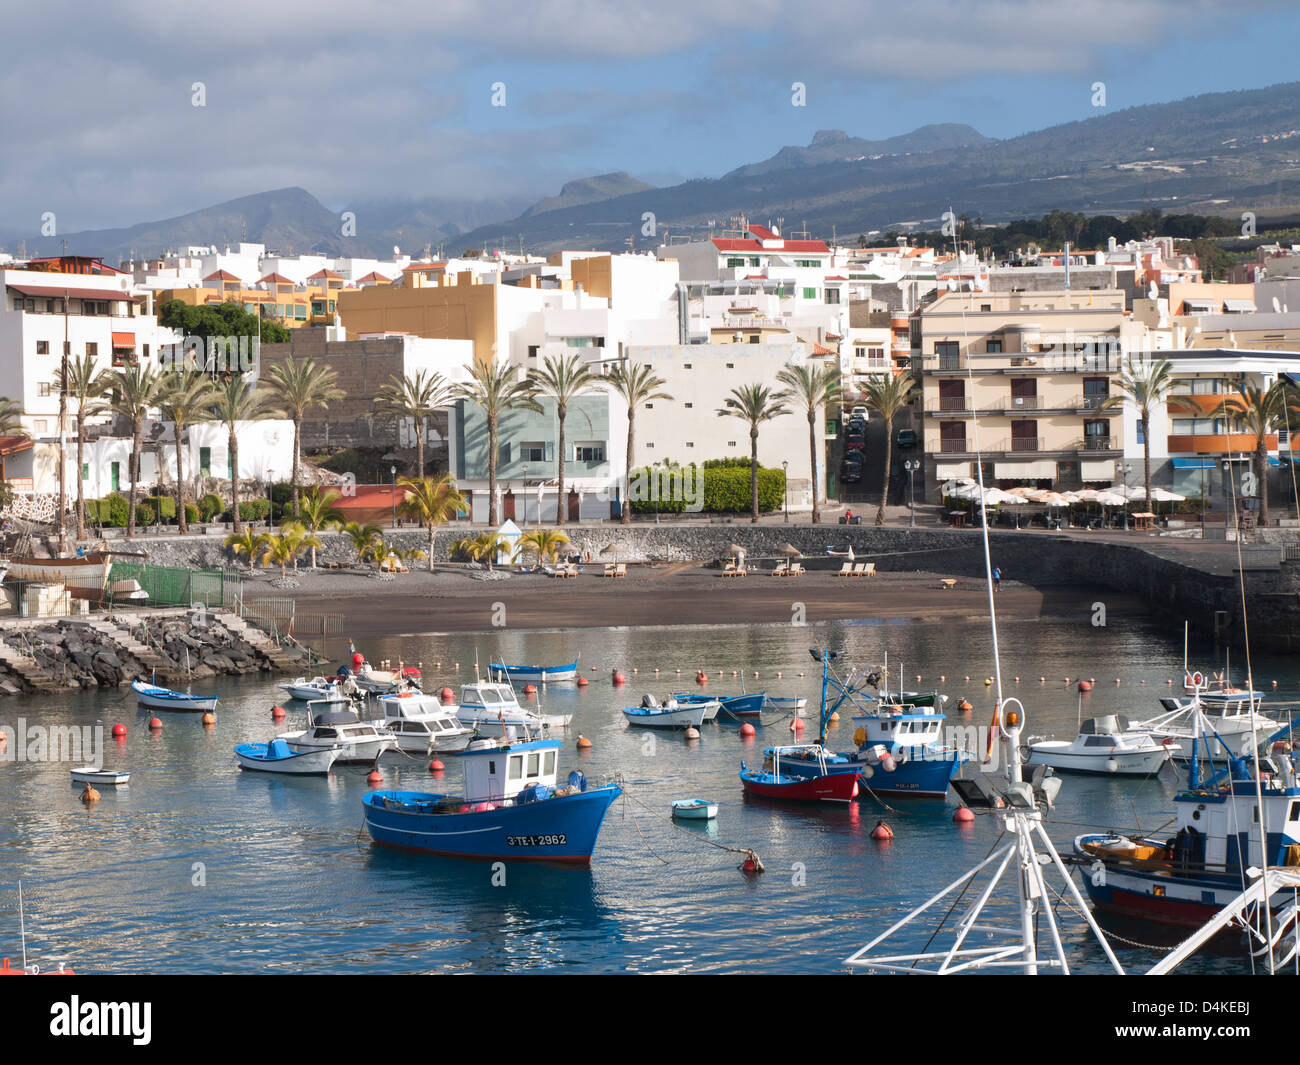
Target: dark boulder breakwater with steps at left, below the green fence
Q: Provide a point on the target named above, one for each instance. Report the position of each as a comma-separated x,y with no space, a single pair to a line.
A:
71,655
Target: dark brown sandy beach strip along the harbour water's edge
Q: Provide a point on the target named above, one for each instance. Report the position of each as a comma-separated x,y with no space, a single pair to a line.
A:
687,595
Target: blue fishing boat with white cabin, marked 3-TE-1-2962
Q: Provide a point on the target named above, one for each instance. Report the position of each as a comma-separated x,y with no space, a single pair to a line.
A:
512,809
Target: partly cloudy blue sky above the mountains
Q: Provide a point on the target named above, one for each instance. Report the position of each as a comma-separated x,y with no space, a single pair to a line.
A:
358,103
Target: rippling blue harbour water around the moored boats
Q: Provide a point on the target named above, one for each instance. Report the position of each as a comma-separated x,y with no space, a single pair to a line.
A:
201,868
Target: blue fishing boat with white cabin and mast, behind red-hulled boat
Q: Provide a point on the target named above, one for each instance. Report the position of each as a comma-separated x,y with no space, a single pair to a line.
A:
900,750
